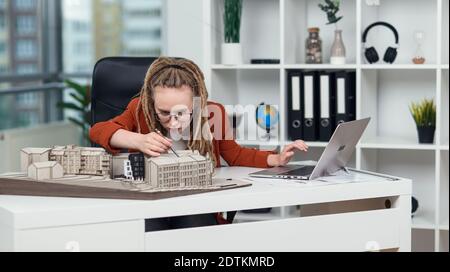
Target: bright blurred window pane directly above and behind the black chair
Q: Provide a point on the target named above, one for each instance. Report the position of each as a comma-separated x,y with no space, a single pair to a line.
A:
101,28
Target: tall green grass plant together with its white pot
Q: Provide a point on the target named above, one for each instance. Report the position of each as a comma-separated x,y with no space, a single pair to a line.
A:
231,48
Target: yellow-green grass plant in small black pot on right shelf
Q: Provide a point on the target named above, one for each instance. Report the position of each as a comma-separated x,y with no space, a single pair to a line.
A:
424,114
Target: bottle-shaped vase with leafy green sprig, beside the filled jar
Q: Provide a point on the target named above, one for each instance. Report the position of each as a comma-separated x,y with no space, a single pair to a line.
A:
338,53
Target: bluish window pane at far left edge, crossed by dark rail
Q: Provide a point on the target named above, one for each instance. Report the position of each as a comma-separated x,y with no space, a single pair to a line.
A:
20,54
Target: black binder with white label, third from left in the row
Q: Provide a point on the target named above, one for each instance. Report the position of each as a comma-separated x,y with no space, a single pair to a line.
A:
327,123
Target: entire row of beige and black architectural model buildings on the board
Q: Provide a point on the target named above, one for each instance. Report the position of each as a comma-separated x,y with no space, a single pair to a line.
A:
187,170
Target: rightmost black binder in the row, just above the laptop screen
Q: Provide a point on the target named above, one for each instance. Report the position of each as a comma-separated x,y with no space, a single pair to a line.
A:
345,97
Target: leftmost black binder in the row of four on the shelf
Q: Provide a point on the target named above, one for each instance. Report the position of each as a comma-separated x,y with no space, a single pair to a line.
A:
295,106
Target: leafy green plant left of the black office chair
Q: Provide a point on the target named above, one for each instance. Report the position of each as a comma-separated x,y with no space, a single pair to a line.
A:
82,105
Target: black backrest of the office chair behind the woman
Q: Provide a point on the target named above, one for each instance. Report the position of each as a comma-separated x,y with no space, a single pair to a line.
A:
114,82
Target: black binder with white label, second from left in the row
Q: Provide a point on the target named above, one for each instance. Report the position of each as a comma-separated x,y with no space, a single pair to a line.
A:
311,114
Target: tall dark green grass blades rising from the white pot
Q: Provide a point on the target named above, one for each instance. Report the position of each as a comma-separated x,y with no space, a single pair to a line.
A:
232,20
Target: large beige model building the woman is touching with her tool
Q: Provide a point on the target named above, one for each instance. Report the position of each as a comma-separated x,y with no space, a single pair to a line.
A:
169,171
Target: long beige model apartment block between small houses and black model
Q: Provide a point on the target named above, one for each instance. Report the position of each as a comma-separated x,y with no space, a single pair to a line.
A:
82,160
